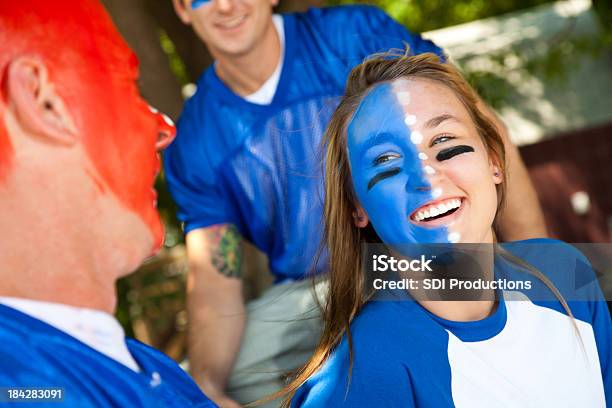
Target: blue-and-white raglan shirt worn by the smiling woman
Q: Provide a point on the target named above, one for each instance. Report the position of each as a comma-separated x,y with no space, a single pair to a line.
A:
525,354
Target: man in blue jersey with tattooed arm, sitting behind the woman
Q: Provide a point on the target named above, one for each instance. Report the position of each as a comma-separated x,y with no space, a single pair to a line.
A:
246,165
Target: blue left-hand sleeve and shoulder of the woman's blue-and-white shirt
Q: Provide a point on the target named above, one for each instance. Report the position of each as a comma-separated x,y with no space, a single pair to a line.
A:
378,374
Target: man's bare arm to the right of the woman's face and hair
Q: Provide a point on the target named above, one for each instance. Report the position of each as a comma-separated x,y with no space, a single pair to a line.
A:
521,217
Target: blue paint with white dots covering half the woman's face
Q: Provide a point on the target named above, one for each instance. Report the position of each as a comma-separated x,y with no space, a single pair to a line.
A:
389,172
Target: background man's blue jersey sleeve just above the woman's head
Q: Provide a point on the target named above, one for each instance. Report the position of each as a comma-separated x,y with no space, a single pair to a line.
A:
359,31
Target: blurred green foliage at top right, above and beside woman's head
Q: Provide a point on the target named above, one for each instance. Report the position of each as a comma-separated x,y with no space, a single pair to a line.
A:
548,58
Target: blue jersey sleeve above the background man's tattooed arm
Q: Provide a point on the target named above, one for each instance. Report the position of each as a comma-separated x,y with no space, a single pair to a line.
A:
190,172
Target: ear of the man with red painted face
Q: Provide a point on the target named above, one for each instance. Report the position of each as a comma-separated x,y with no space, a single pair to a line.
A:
38,108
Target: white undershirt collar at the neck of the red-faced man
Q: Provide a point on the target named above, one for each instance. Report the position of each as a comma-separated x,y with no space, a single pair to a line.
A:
99,330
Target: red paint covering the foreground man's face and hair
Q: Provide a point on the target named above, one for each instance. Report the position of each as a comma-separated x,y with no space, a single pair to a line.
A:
95,73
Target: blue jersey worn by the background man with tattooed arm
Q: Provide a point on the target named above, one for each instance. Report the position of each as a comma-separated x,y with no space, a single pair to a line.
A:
260,166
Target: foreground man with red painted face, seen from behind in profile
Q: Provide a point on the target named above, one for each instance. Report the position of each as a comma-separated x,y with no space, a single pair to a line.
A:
78,159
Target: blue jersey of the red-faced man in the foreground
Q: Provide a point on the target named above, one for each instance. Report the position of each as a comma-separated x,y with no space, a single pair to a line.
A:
35,354
